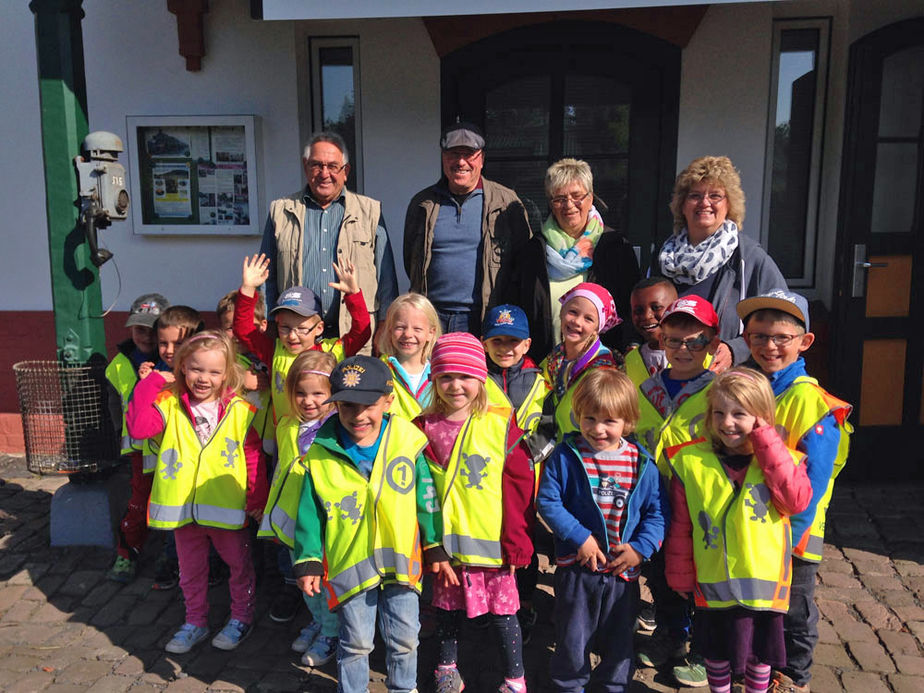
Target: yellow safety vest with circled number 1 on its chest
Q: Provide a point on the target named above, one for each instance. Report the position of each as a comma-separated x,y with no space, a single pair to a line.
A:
371,532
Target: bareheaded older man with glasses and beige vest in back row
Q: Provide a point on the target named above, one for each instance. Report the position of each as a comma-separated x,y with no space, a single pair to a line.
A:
324,223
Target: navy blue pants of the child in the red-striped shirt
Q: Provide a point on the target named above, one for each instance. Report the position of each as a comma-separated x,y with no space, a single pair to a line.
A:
593,611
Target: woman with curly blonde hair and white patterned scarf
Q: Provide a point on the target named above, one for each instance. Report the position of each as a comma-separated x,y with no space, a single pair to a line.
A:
709,257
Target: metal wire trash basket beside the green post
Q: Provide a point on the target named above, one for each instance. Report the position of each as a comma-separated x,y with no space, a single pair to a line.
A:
69,417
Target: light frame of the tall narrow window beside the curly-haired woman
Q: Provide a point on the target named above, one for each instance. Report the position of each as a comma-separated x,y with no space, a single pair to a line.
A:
806,280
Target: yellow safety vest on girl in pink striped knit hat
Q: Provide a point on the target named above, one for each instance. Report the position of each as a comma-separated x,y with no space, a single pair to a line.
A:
470,490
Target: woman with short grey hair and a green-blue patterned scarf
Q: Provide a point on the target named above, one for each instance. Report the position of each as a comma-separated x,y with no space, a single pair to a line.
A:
573,246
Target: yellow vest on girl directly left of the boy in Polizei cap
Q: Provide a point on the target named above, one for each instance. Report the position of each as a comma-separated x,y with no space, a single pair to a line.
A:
286,487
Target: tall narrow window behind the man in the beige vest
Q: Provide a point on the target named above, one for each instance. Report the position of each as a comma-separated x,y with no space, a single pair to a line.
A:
335,96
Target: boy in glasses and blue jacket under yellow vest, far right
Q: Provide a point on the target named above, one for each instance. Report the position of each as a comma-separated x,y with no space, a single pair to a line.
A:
776,329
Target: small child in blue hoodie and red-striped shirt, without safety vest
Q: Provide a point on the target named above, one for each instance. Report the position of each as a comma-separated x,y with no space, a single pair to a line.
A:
602,497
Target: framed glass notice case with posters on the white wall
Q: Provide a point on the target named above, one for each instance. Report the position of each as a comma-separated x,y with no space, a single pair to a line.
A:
194,175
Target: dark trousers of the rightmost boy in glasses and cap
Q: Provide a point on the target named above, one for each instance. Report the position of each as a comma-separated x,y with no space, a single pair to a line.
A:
800,625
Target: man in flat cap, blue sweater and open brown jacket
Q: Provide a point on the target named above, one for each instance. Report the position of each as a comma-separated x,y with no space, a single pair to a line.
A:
463,234
